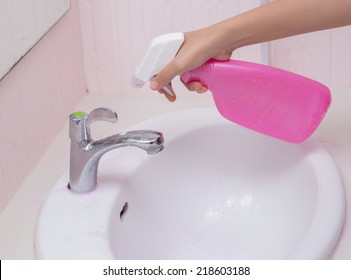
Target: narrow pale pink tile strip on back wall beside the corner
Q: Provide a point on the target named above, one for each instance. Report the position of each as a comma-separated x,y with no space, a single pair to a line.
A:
100,57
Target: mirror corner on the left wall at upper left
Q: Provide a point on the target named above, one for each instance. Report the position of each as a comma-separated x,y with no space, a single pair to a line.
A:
22,24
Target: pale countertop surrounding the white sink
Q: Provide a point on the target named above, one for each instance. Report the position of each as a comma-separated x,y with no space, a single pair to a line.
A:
18,219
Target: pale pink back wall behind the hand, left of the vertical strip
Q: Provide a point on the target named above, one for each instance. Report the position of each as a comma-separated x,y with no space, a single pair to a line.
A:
116,33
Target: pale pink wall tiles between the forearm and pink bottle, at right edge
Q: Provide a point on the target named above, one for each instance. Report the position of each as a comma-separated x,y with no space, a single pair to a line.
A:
324,56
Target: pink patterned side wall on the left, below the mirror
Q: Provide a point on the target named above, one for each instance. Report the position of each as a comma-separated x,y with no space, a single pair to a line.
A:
35,99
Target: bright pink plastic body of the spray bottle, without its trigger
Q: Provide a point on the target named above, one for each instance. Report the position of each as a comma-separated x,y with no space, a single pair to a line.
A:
271,101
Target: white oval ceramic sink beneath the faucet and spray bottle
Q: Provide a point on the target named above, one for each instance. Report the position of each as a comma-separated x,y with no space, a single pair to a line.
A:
217,191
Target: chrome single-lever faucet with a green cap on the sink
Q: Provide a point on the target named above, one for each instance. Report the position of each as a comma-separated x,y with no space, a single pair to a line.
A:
86,153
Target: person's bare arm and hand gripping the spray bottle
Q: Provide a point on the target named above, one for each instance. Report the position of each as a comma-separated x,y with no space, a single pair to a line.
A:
278,19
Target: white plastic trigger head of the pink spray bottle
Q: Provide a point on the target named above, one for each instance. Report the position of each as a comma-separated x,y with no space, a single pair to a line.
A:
161,51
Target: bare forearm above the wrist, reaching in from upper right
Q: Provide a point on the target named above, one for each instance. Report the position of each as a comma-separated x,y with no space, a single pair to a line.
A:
283,18
